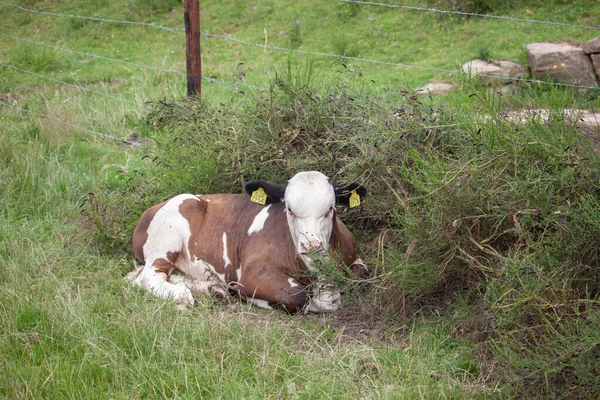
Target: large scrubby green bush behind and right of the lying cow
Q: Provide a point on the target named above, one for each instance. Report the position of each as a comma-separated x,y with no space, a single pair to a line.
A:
482,208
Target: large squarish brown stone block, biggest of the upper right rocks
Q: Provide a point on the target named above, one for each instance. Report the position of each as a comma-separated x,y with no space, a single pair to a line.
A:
562,62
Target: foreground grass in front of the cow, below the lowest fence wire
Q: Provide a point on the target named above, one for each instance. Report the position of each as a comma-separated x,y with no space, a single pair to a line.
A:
70,326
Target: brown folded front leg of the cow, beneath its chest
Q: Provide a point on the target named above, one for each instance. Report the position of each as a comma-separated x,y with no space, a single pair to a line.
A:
268,288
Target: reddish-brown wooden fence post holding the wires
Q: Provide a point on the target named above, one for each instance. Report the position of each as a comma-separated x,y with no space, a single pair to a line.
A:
193,63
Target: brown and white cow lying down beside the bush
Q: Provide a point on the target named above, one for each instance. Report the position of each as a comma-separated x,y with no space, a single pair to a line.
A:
257,244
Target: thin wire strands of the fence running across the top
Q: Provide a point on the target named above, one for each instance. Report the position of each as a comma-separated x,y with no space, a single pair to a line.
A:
264,46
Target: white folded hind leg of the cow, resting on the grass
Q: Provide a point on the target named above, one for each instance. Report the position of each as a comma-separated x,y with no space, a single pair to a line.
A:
153,278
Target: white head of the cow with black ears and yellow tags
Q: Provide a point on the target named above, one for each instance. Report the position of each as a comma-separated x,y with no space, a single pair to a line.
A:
310,201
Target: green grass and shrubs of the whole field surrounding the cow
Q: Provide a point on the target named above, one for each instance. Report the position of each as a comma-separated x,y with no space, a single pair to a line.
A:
489,326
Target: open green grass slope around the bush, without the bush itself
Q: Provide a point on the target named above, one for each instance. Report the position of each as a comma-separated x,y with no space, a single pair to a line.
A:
70,327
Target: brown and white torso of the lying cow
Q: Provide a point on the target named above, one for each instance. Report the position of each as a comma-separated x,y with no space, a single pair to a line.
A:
224,231
